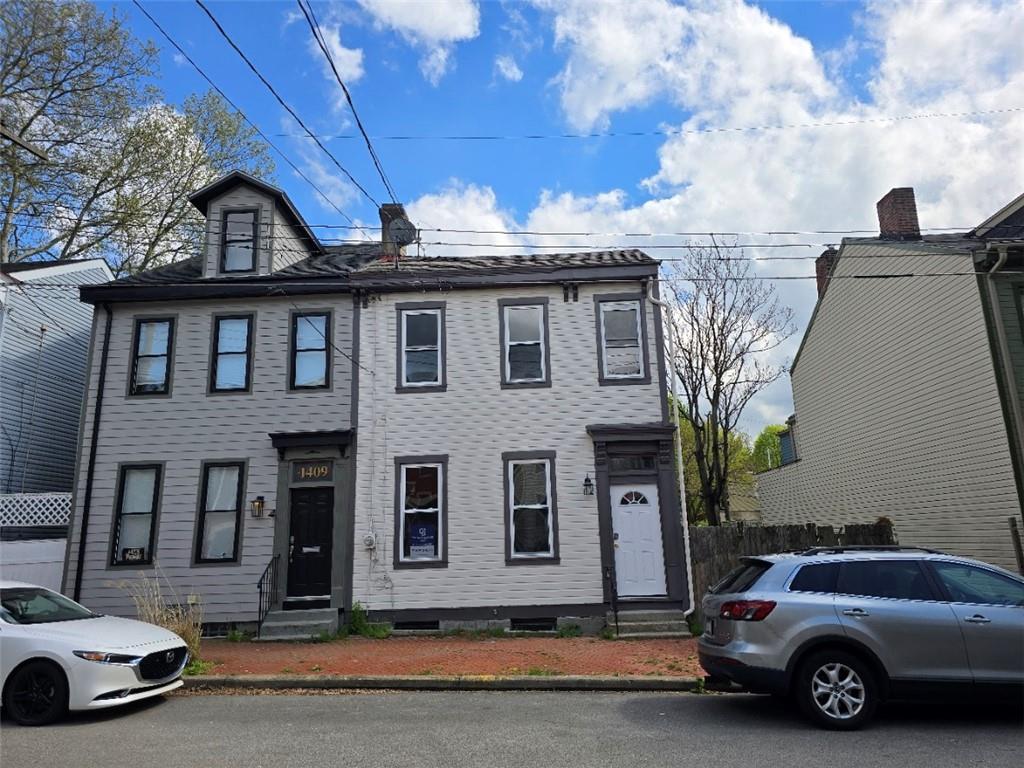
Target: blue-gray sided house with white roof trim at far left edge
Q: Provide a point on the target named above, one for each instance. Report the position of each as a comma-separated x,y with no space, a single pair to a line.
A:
45,343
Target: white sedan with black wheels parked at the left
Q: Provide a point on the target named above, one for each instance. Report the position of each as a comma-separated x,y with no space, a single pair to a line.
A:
58,656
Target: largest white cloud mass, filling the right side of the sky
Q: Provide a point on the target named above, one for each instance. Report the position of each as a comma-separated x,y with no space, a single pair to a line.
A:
727,64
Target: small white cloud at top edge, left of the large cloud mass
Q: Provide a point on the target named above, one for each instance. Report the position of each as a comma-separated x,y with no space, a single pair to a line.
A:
434,28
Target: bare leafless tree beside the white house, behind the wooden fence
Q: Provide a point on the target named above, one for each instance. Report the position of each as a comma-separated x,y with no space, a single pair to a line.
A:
726,322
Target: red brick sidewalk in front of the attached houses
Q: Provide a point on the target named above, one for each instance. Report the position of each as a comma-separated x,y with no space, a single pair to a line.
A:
457,656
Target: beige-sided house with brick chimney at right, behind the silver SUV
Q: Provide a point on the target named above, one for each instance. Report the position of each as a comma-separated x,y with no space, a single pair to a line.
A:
909,387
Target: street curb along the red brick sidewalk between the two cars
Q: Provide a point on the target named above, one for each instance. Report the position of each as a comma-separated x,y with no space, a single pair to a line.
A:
483,682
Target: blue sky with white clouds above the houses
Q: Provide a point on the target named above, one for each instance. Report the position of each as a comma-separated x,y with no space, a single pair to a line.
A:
552,67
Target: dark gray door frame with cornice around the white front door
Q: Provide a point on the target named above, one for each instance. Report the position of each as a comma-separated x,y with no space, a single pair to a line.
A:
655,441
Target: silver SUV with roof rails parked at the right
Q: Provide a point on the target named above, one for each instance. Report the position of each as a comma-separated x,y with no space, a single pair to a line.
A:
843,629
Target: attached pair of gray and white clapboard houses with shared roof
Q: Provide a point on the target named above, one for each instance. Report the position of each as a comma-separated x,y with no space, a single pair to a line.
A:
284,430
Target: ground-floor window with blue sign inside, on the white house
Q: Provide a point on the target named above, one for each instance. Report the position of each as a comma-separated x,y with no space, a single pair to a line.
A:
420,515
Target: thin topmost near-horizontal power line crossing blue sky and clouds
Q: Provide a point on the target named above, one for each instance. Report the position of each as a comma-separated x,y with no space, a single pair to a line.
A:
671,132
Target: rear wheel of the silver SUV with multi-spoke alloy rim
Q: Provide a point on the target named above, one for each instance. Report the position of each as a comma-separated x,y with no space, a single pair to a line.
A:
837,691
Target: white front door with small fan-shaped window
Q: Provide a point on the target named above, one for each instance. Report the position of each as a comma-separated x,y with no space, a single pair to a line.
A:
636,521
